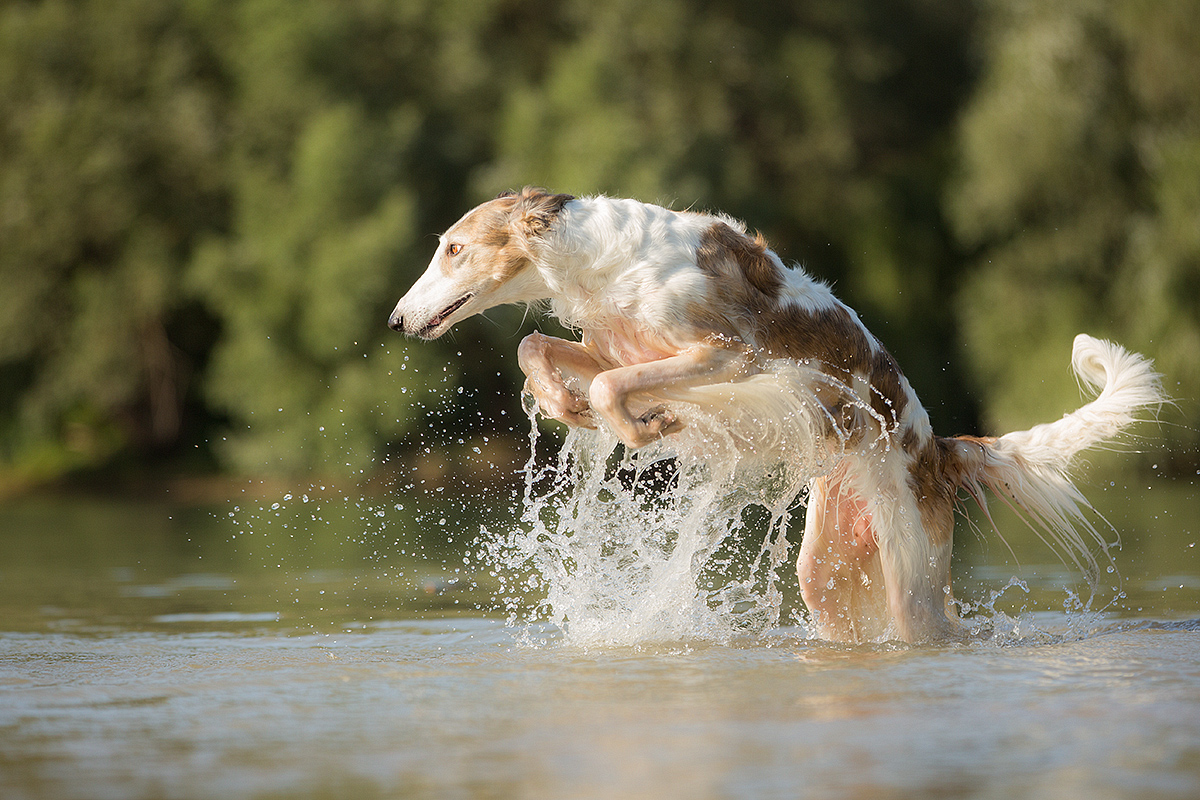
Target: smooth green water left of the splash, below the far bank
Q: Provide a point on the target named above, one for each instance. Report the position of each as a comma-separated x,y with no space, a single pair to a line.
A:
279,562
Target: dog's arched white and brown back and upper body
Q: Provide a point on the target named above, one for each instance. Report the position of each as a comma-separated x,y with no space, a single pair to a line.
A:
679,278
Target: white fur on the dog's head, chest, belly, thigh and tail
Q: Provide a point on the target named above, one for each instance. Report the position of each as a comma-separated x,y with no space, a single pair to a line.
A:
626,274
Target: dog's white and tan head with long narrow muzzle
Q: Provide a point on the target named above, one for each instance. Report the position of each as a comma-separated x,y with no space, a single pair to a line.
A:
484,261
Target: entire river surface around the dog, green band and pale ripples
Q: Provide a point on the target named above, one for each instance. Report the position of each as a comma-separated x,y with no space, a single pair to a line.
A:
315,645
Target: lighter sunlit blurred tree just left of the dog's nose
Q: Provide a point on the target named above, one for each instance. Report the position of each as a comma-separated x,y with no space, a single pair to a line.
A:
320,219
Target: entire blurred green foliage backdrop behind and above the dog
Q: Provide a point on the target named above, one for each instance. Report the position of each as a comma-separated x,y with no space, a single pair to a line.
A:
208,208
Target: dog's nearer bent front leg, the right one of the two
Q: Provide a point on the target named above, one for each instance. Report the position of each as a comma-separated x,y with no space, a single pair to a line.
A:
704,364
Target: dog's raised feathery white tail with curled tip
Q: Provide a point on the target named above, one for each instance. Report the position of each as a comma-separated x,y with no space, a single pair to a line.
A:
1030,470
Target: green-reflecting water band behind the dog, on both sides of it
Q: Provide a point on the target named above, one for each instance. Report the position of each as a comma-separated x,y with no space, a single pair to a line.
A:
293,561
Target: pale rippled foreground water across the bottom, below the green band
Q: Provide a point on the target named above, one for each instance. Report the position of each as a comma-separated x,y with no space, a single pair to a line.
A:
463,709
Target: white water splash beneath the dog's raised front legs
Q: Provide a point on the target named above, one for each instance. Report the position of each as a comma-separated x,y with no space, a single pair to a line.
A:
620,546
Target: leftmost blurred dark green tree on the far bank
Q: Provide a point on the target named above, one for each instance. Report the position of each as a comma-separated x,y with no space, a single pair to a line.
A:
111,161
